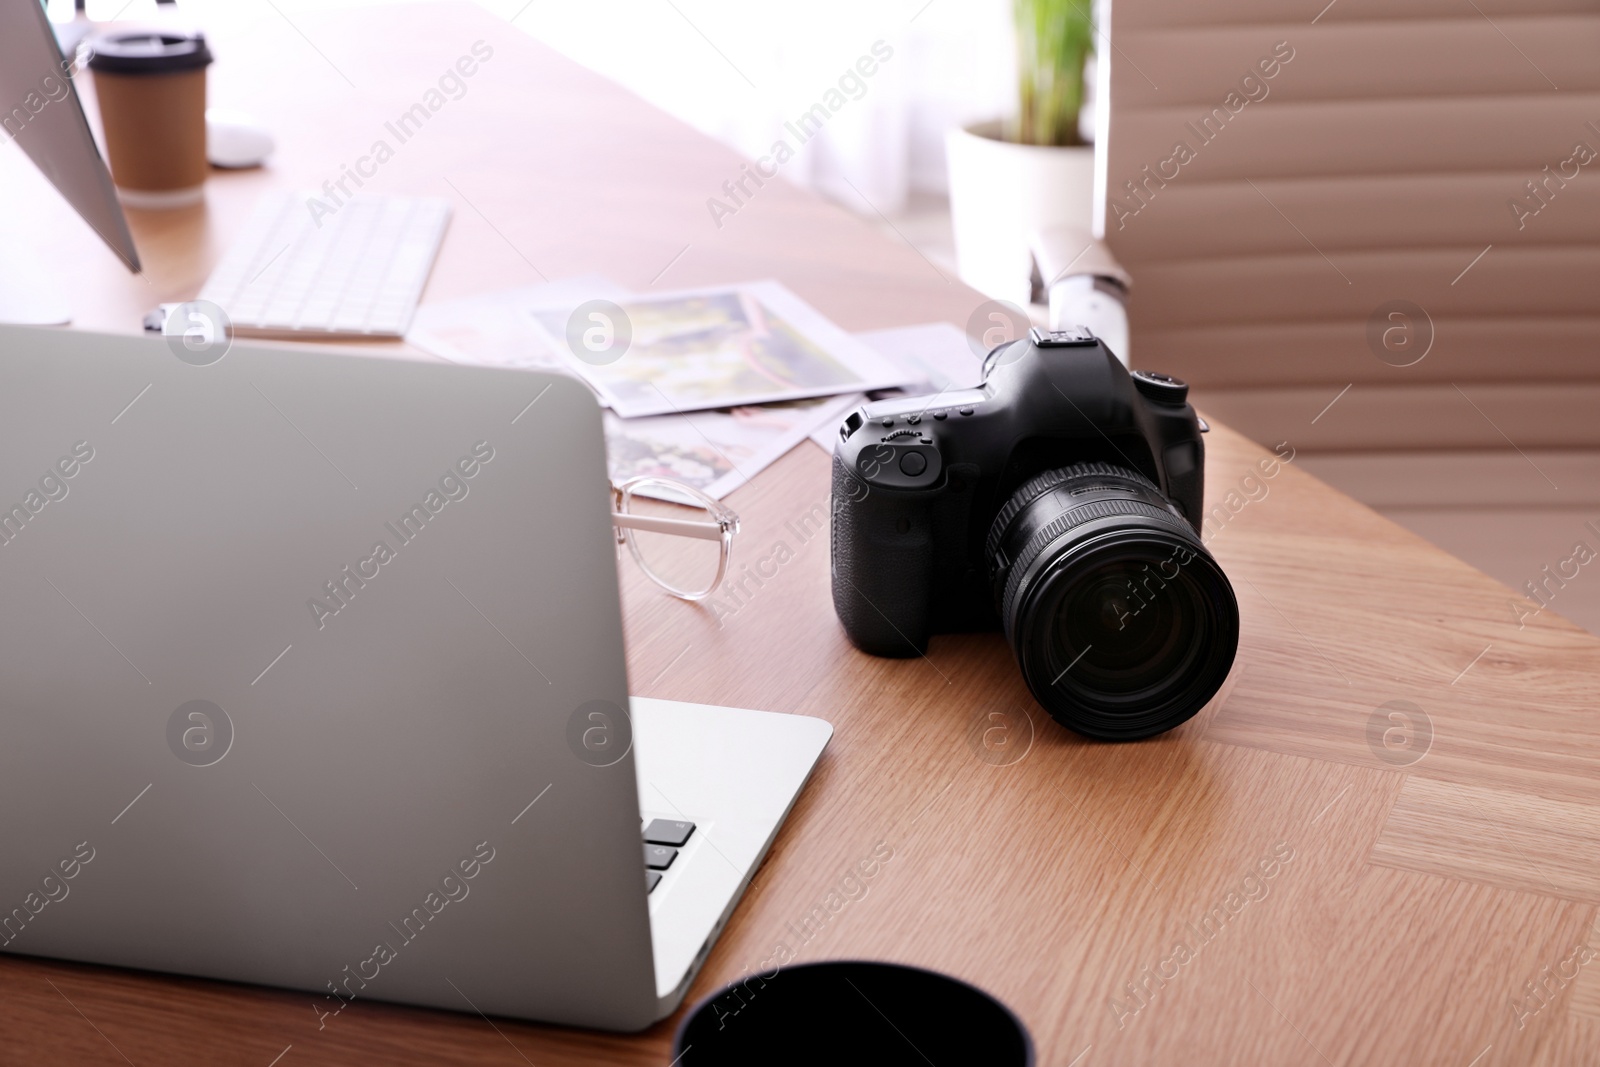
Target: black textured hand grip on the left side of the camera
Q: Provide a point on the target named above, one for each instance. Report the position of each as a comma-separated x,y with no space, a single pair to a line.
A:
882,565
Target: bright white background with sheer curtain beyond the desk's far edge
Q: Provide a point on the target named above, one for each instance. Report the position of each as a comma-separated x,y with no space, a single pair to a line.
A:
738,70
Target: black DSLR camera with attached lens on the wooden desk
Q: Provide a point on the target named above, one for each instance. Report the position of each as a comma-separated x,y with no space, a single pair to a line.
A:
1060,503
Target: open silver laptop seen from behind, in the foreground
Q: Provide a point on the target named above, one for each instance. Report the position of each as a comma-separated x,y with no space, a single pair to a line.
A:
313,677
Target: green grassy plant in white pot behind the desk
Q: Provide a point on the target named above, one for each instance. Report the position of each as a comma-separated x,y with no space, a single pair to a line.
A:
1014,177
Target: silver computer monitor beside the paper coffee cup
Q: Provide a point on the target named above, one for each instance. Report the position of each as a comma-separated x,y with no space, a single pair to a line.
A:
41,111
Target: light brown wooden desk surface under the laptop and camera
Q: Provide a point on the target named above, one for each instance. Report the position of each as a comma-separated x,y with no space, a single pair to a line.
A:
1417,903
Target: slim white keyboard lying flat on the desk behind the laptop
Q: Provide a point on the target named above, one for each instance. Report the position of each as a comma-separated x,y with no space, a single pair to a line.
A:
361,273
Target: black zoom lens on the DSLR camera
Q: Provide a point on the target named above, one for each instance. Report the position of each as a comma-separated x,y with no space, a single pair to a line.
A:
1122,623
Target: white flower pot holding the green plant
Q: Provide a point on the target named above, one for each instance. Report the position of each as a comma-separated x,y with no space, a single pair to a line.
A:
1002,193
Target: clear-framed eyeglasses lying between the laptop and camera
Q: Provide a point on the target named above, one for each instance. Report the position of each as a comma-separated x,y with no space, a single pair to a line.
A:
679,537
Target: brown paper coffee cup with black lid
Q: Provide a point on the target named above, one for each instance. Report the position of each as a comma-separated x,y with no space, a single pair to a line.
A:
151,89
